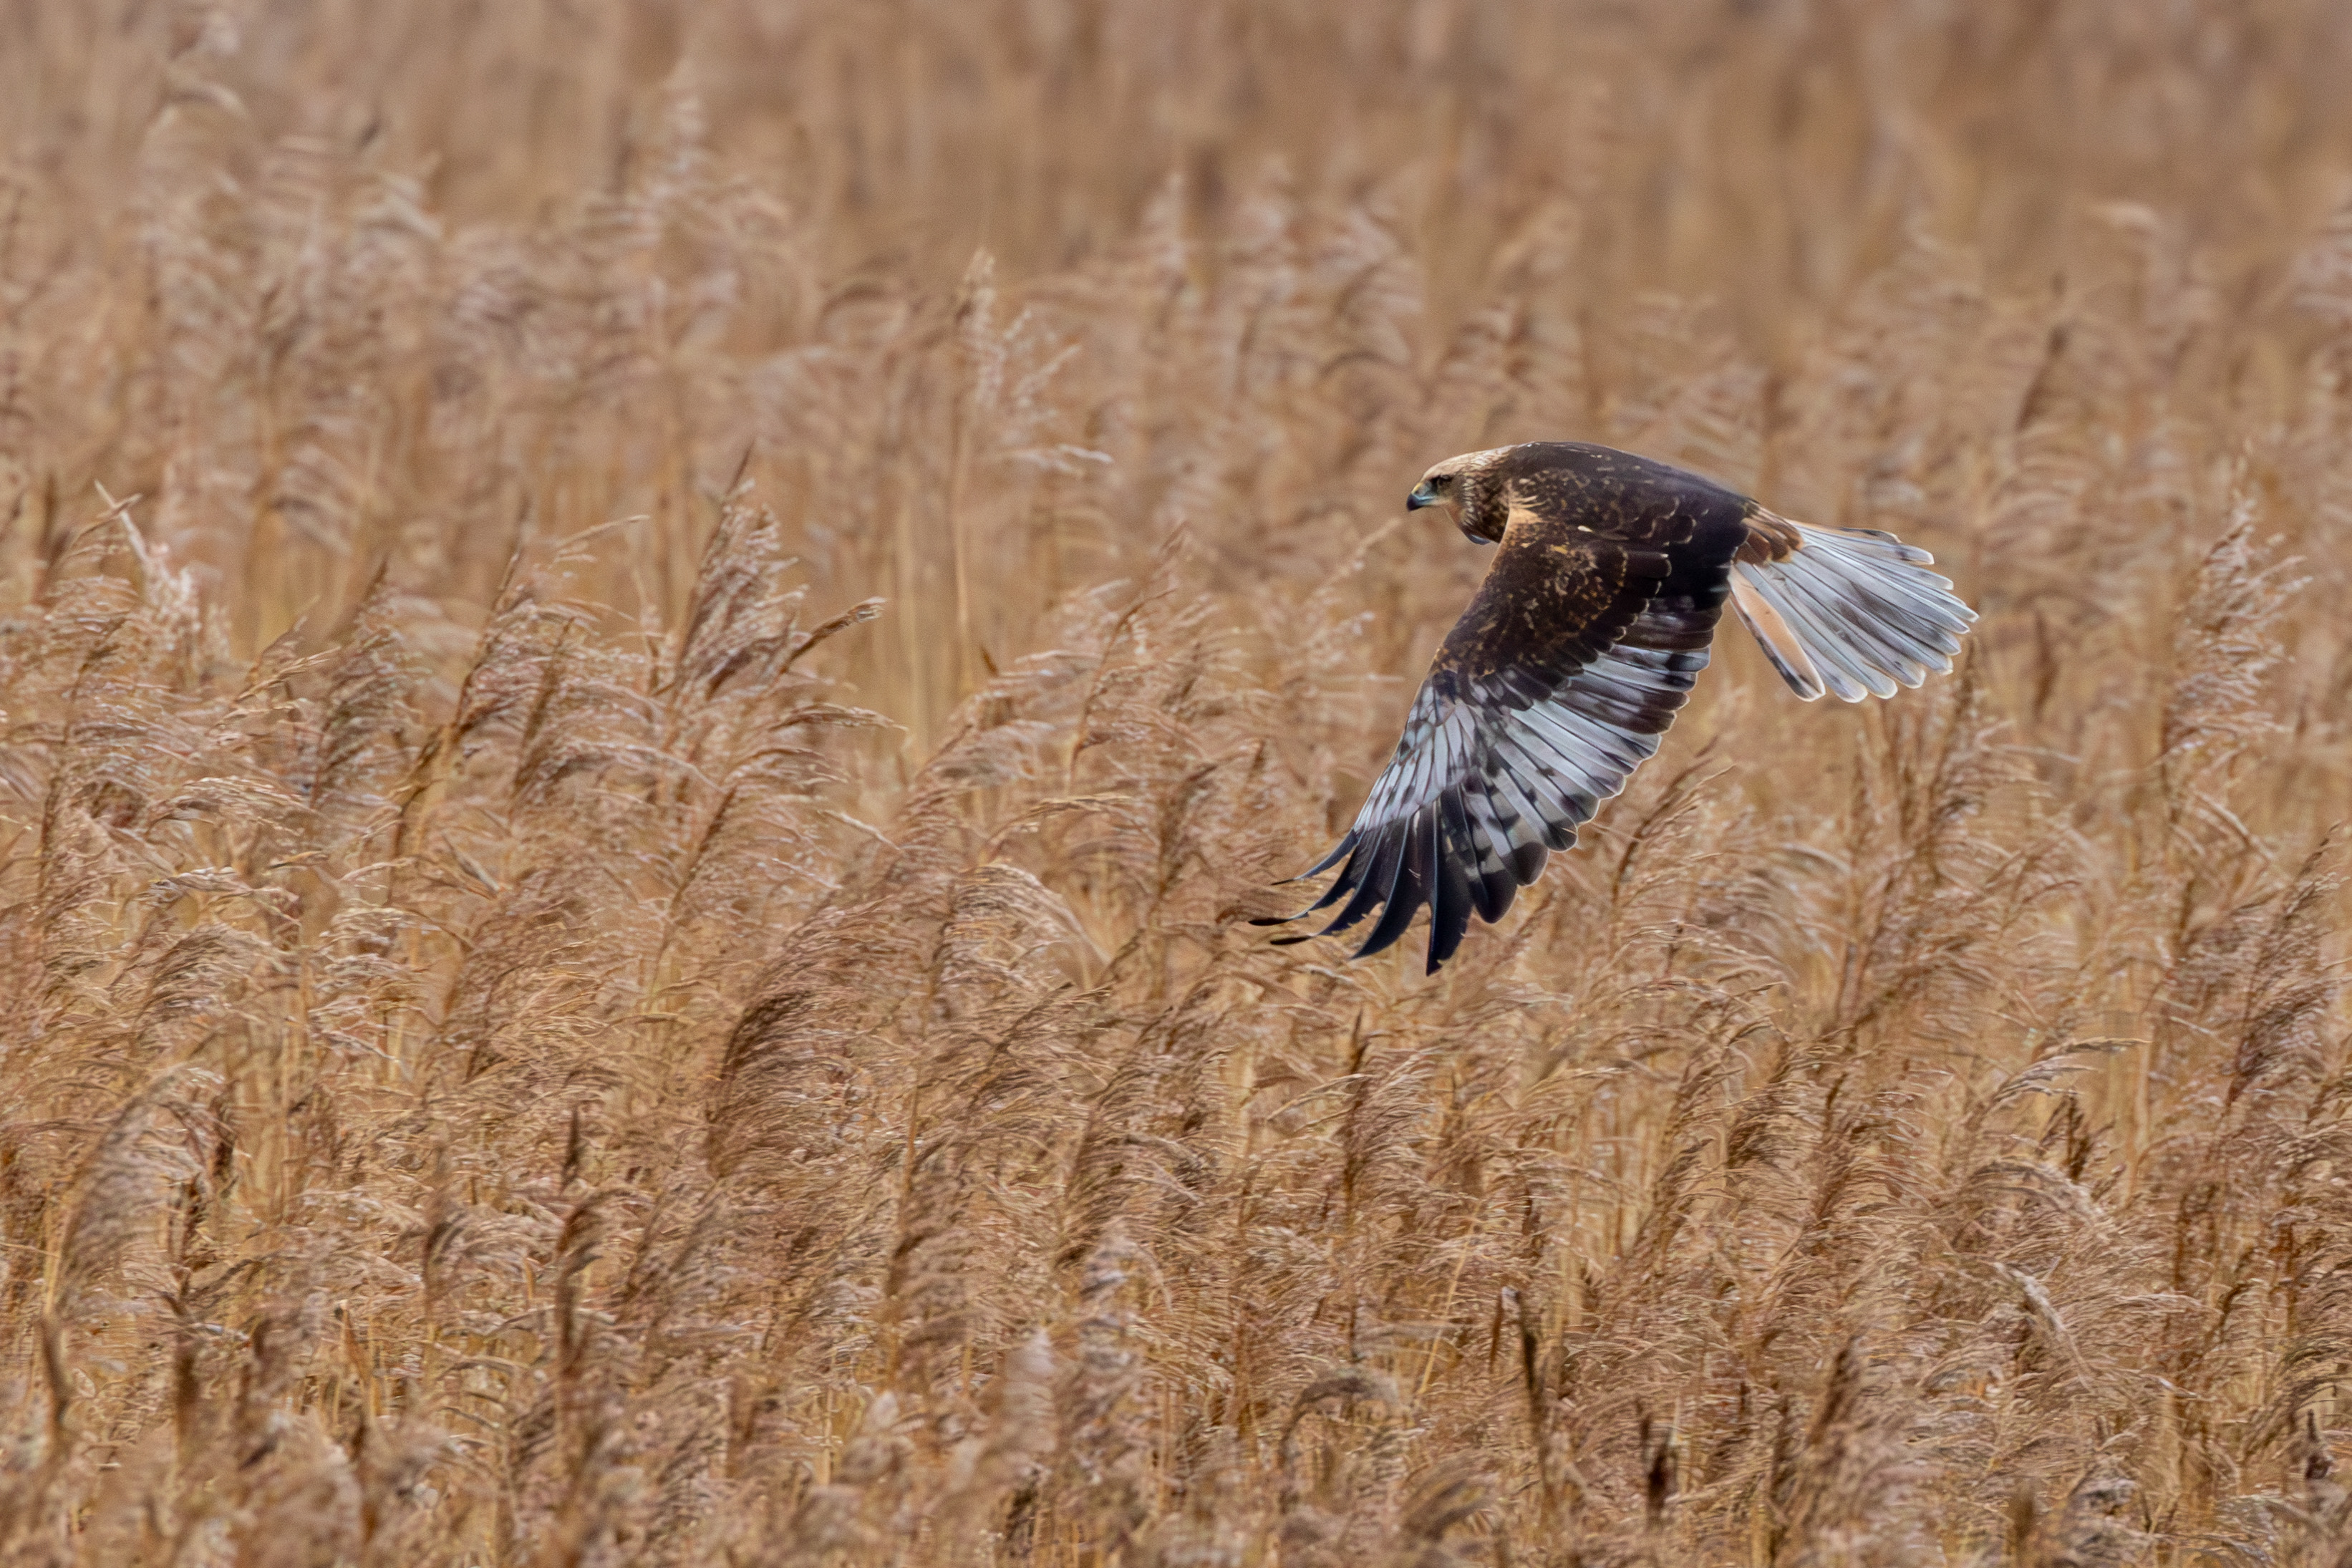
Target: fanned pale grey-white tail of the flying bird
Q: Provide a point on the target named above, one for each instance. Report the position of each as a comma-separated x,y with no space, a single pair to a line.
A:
1852,612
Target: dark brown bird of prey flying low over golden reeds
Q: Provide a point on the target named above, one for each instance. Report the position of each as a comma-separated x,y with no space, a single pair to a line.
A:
1577,652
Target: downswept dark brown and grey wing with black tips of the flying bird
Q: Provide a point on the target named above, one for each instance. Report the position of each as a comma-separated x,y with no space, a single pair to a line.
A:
1542,702
